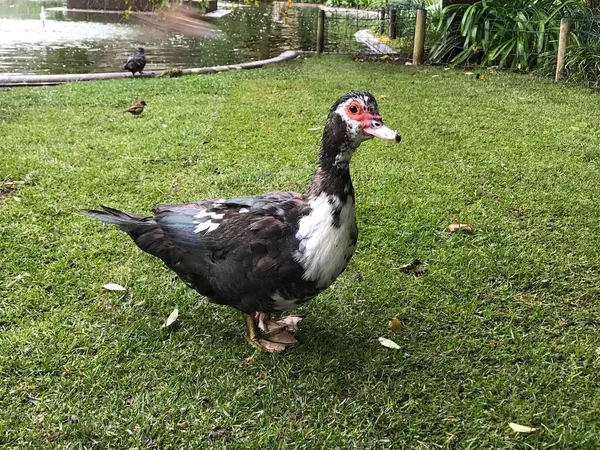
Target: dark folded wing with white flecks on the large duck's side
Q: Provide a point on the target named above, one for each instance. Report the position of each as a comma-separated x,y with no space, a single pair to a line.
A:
238,250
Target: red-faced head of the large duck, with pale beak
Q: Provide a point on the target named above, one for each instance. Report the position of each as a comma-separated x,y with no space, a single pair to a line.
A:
358,114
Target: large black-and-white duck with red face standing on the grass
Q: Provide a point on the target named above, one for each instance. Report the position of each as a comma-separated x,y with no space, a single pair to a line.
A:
272,252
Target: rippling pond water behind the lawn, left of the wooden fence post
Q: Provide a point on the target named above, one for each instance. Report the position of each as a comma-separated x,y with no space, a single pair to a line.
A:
81,42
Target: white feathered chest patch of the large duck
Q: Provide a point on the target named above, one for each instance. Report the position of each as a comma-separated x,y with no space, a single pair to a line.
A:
327,239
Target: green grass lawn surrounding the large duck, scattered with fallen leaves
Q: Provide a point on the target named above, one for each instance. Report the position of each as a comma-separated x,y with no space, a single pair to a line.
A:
504,327
